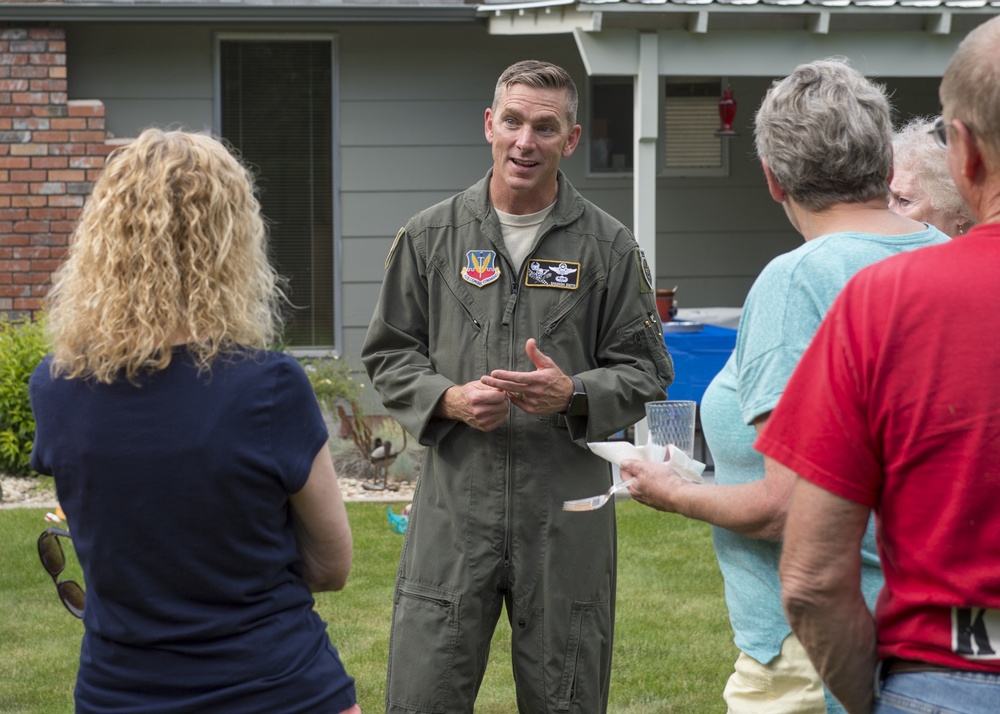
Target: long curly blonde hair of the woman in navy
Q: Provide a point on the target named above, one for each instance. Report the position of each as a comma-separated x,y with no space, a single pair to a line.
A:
170,249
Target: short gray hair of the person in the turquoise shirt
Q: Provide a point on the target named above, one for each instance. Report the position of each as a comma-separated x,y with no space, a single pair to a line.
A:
825,131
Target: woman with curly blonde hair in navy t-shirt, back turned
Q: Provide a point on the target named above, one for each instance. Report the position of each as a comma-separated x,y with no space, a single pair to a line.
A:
191,461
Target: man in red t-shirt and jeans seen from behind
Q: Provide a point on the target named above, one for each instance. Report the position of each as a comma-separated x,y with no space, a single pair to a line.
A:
892,408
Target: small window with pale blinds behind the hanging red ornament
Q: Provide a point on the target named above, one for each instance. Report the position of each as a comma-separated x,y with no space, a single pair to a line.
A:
691,115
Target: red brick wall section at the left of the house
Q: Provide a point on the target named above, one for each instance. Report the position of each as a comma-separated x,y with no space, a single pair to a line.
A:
51,151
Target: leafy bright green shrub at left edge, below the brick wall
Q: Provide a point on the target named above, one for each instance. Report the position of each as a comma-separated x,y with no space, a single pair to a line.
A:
22,347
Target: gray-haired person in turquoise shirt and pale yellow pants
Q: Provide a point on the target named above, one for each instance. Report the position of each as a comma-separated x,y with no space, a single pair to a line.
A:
823,135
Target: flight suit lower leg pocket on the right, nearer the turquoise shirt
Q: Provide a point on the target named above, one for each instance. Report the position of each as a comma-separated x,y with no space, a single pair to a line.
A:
588,640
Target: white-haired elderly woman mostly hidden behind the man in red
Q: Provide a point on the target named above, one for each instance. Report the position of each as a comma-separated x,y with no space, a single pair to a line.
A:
921,186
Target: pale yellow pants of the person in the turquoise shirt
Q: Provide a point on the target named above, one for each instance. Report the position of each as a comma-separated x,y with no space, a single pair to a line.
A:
788,685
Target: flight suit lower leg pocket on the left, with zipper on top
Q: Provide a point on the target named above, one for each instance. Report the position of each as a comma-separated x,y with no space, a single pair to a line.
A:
422,647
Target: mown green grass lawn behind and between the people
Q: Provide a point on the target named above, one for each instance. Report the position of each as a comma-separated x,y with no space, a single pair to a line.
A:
673,645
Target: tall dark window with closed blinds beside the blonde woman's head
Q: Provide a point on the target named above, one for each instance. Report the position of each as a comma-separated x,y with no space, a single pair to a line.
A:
276,109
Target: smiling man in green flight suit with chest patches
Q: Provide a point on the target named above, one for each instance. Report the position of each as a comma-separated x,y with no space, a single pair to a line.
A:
516,322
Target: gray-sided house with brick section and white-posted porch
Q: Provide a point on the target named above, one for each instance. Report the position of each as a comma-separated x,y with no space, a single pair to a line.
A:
355,115
